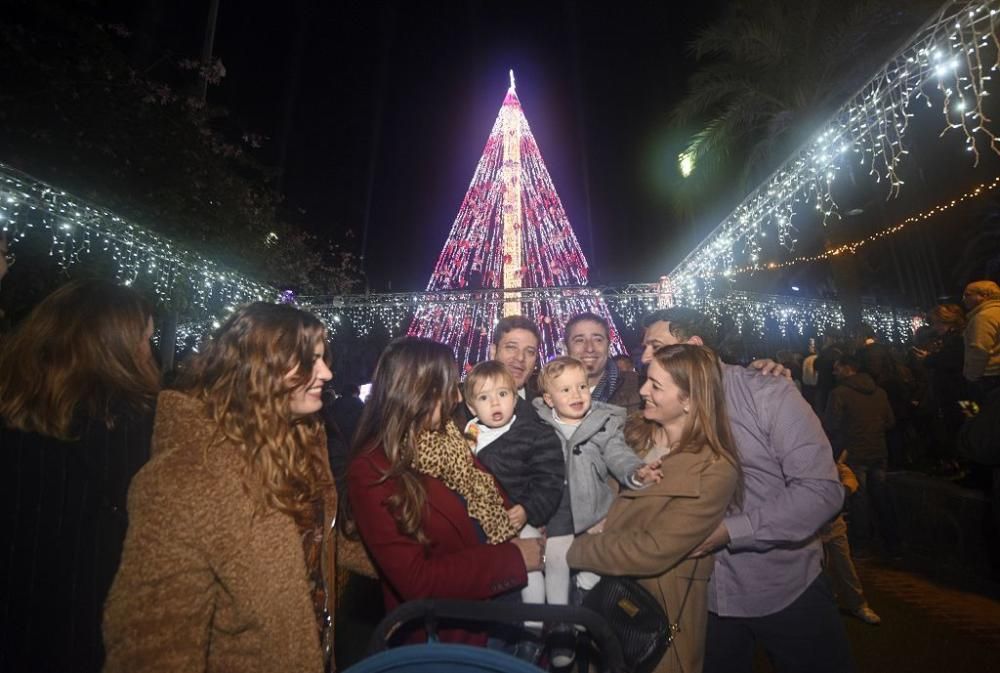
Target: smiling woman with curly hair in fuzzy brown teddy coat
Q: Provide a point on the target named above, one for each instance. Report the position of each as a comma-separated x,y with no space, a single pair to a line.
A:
228,561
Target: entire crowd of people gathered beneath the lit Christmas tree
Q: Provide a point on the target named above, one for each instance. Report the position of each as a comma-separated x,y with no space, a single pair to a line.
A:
226,523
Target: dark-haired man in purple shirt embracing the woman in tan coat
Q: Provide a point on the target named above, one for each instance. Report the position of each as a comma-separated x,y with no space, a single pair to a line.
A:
768,586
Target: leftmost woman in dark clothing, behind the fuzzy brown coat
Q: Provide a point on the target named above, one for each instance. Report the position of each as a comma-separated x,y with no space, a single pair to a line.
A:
78,385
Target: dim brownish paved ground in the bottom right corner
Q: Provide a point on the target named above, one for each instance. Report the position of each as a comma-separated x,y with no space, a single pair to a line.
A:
927,625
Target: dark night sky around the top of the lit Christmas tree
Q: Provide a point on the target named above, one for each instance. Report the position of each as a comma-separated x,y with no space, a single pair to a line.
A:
402,96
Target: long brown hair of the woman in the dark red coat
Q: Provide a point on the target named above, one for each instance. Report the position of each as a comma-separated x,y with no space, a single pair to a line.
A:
413,378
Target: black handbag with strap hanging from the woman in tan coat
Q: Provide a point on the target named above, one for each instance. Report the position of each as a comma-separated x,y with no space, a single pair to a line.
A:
637,620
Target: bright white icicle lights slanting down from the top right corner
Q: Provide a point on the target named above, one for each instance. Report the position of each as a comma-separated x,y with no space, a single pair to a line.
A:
950,61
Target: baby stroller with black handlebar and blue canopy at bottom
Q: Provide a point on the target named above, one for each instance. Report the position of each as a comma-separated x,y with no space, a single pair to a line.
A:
436,657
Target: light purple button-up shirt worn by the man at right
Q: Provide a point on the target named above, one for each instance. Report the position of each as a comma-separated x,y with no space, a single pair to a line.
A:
790,489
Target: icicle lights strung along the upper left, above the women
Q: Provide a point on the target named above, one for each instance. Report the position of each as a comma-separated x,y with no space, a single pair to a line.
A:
75,228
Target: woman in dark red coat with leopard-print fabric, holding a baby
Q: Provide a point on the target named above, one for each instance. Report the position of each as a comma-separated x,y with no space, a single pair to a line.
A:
414,515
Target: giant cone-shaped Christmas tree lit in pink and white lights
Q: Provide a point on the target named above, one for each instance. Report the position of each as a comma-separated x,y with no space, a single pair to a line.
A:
511,233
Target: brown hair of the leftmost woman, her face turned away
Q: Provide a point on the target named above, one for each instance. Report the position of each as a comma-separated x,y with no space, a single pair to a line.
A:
79,355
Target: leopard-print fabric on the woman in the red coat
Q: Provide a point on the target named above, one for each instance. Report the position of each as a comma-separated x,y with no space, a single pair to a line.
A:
446,456
